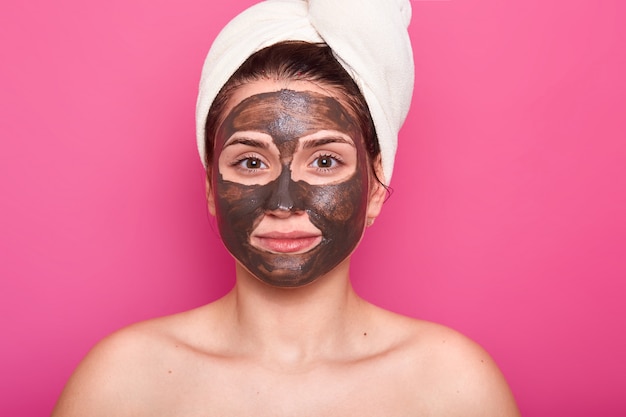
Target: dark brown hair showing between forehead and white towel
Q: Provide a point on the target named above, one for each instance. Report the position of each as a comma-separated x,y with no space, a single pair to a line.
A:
296,60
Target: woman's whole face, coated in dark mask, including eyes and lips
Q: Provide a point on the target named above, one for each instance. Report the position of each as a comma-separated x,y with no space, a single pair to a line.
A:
290,181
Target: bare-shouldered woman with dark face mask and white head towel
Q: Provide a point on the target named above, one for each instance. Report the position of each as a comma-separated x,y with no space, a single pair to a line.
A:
295,173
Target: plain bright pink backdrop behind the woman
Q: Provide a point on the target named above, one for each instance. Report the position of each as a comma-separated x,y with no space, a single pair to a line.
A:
507,221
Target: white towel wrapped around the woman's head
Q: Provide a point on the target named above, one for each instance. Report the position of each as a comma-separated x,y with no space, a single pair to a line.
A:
369,38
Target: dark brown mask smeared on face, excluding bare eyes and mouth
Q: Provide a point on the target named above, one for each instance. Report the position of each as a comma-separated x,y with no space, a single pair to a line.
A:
337,209
